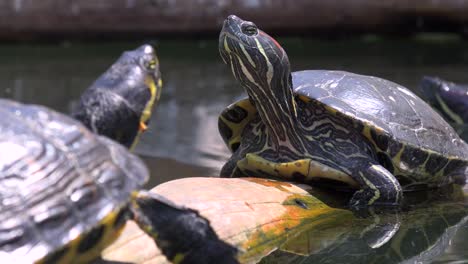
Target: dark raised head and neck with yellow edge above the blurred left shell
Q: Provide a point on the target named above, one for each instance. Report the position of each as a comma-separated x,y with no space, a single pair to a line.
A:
119,103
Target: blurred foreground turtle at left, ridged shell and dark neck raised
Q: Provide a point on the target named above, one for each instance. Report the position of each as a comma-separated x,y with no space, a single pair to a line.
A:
65,192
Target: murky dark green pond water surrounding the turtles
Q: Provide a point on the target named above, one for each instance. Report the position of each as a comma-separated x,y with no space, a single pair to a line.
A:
183,140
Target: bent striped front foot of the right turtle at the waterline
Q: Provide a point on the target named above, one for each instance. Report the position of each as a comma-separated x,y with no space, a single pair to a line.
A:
378,188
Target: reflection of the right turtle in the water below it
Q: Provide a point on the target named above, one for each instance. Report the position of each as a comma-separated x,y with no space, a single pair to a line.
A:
418,235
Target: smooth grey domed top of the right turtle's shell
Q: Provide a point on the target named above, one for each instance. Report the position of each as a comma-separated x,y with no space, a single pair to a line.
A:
383,106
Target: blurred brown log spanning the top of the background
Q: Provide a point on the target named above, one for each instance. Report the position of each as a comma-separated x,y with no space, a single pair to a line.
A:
126,18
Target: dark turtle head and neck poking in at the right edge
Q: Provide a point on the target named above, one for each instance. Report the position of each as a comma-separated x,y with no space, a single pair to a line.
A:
449,98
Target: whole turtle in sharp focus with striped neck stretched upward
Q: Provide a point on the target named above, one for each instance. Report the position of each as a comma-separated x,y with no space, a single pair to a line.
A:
342,129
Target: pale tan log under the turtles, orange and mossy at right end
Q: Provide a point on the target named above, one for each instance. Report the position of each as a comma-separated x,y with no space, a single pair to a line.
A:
255,216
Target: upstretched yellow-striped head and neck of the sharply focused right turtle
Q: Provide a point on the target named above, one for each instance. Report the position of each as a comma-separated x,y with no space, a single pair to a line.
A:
262,67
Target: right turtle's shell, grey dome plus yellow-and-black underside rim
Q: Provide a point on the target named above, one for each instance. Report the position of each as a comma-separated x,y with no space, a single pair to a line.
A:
401,125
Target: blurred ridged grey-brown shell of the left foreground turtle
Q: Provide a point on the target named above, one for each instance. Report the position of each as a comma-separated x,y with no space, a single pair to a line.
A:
59,184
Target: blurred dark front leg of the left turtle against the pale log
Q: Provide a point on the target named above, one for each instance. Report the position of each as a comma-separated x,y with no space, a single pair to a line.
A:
182,234
